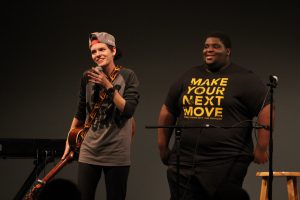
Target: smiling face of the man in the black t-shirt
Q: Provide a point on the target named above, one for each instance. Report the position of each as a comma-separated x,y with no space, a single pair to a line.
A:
214,52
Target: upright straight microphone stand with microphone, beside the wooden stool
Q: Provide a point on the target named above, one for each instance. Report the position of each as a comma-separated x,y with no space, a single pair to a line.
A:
272,85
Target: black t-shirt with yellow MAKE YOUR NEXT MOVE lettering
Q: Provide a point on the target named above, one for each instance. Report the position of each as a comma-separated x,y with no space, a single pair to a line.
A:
225,102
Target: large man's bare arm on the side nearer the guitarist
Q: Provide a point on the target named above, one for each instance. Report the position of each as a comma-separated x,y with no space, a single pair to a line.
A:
164,134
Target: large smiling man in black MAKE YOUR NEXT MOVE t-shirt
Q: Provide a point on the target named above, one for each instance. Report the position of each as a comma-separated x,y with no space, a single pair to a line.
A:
221,98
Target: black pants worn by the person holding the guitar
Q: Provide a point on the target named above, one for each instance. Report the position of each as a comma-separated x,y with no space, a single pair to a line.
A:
115,180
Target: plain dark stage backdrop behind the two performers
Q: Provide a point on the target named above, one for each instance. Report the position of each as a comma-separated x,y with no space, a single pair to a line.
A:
44,47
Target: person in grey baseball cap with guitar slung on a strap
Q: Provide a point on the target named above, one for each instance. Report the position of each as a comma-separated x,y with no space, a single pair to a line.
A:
106,145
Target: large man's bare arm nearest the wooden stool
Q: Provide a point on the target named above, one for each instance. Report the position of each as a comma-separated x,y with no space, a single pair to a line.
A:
263,136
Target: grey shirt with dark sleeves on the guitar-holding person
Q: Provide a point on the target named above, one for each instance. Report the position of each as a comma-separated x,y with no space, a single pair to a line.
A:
107,142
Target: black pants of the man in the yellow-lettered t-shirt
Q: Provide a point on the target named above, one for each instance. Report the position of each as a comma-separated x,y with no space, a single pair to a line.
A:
209,183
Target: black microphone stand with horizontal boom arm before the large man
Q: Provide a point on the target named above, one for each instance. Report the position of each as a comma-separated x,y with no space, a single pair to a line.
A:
178,133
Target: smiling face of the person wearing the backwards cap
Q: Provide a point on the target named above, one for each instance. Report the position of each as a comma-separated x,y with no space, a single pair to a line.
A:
102,55
